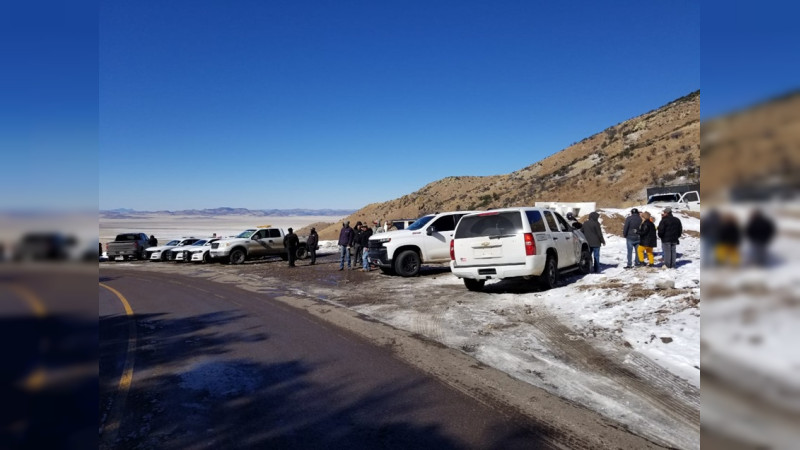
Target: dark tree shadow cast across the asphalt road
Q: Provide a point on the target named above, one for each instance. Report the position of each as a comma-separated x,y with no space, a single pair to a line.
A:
190,391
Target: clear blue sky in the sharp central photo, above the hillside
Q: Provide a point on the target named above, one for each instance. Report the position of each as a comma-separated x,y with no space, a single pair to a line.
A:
264,104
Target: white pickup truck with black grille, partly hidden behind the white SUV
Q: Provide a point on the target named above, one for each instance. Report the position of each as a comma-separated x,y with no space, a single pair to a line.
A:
425,241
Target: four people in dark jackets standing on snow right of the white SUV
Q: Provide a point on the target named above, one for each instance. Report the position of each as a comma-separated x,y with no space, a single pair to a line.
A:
641,237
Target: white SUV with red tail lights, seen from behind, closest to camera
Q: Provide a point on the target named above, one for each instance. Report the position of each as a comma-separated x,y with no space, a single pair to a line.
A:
516,242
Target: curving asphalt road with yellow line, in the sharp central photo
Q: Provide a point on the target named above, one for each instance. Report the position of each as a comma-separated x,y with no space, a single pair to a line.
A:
187,363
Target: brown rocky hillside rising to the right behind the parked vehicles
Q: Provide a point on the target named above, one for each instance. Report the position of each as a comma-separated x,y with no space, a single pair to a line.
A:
611,168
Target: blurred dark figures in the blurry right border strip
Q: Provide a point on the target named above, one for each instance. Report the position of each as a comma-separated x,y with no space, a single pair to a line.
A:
722,237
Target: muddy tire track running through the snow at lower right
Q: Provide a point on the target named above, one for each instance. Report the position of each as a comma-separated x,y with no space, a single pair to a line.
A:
673,396
